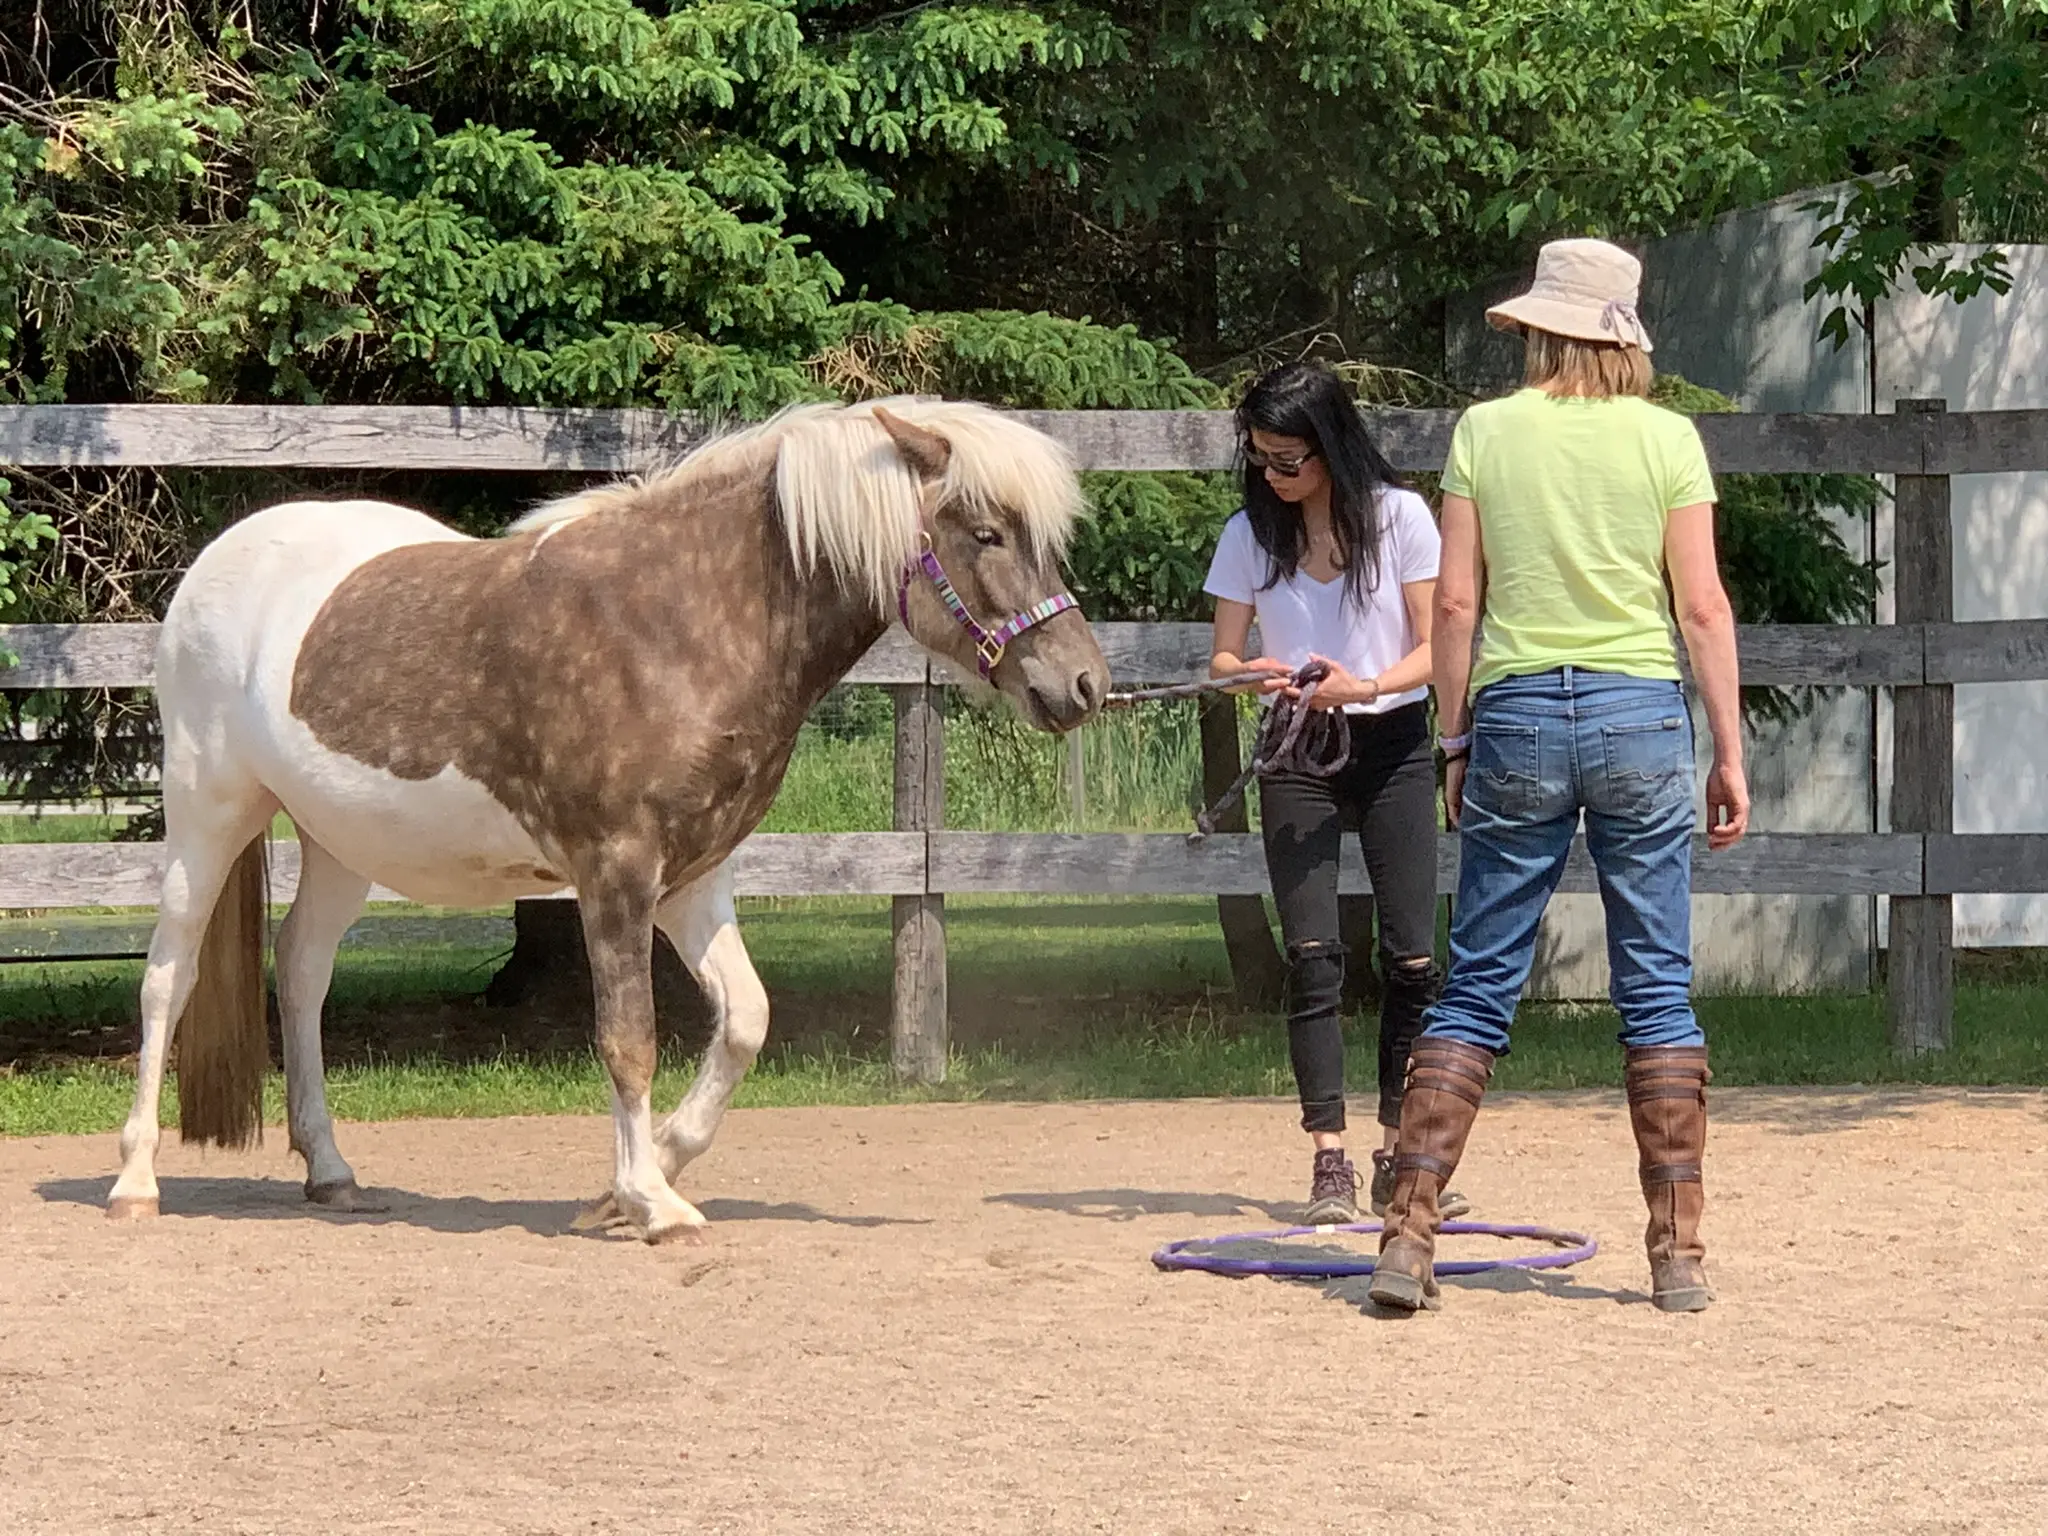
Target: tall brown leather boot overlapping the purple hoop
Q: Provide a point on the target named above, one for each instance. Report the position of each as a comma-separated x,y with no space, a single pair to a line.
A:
1445,1084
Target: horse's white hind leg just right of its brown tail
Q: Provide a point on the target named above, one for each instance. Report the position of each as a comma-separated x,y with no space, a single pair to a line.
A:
331,896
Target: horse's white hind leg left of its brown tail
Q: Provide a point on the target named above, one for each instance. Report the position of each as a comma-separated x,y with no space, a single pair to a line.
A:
204,835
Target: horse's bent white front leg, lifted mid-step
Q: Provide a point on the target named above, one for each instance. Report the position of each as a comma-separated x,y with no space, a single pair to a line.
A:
701,925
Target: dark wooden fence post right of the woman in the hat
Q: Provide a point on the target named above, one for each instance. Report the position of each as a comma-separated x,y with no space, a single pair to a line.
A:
1922,972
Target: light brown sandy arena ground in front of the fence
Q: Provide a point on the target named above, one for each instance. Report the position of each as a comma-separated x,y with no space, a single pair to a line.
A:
945,1320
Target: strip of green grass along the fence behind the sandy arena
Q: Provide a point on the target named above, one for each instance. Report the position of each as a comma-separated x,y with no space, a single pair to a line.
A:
1068,1000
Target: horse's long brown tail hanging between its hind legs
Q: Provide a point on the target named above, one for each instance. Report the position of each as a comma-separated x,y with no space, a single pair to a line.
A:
224,1035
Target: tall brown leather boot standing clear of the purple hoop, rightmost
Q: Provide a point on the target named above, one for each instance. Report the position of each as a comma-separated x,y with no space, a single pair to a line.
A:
1668,1109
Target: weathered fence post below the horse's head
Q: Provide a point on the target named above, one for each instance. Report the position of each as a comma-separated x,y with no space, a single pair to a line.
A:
919,998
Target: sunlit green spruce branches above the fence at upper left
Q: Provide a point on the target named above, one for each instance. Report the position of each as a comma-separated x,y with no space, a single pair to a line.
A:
536,202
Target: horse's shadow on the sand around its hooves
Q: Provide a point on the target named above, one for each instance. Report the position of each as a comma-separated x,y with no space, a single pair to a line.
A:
261,1199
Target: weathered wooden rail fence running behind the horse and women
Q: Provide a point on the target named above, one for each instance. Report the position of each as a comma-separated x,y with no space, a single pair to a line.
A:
1920,865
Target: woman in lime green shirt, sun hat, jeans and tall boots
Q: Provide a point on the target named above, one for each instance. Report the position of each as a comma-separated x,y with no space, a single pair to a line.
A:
1578,542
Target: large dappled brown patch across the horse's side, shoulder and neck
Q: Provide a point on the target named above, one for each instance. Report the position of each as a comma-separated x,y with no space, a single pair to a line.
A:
638,673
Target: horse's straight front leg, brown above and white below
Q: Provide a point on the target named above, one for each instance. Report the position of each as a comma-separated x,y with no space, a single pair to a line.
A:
620,939
